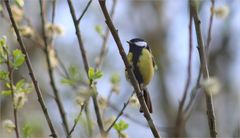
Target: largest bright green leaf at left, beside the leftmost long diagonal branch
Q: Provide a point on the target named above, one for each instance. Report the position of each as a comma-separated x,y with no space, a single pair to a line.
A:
18,58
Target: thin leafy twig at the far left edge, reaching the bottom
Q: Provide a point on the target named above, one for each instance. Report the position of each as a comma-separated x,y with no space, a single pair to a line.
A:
10,76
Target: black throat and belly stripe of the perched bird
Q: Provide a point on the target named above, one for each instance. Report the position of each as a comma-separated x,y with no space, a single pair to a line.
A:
136,54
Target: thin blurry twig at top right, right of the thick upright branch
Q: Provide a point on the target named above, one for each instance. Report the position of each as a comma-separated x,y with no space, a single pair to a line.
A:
209,37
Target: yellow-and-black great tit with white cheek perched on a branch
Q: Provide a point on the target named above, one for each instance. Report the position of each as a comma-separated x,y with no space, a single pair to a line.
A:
141,60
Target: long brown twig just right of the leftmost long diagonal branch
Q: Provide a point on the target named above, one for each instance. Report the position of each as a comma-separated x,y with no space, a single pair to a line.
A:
50,71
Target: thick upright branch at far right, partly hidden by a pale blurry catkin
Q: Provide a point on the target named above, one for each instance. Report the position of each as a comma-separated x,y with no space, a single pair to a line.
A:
204,67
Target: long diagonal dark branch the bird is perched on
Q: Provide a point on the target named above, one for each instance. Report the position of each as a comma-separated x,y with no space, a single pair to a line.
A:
129,69
